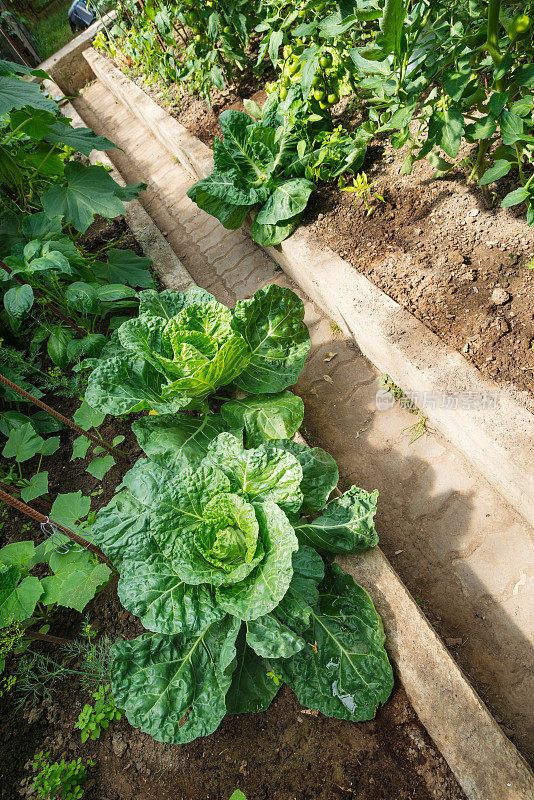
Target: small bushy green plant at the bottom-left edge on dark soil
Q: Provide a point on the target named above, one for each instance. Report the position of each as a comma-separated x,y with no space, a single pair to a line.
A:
58,779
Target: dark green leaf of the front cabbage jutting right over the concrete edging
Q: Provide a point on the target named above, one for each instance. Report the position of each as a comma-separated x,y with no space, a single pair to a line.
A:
346,525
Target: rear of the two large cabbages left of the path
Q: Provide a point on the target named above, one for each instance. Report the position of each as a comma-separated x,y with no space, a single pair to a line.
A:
183,346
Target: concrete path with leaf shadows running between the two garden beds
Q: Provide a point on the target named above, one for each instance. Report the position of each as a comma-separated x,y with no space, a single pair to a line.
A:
462,551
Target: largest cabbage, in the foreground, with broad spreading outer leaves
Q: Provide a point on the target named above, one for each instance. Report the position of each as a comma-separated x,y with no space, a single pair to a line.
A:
217,550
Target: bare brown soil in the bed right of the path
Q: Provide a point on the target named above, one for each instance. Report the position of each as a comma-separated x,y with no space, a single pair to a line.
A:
433,245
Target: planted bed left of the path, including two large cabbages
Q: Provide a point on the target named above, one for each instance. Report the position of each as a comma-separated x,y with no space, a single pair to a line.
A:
223,537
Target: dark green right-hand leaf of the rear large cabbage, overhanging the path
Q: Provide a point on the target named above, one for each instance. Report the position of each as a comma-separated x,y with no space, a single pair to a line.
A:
272,324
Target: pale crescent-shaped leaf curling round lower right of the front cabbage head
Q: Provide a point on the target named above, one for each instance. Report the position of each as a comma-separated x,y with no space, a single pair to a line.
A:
267,584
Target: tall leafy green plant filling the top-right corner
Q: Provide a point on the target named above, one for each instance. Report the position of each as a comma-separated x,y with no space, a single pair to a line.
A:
433,79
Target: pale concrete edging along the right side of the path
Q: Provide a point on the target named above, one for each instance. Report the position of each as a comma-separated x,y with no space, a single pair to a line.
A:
498,441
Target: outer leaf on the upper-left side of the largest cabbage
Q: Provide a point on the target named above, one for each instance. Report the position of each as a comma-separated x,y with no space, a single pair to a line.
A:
120,524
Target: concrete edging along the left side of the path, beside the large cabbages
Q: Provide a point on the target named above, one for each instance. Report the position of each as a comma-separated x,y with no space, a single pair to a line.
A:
484,761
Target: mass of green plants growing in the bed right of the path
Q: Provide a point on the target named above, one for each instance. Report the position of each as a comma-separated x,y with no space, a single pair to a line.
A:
429,76
